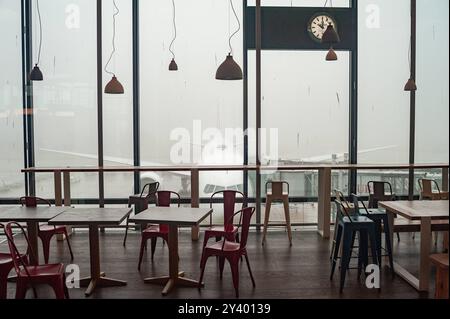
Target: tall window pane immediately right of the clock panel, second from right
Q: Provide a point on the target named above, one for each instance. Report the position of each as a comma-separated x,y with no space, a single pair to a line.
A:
383,106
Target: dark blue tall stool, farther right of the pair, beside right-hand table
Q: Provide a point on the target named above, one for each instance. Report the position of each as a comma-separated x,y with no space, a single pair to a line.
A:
381,220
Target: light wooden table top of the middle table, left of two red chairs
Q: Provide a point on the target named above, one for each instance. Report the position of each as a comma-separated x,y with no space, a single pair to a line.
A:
173,216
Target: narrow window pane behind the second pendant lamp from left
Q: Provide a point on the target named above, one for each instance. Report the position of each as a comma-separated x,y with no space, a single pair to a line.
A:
118,109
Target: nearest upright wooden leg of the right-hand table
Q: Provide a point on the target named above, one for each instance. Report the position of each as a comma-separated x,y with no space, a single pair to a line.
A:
425,243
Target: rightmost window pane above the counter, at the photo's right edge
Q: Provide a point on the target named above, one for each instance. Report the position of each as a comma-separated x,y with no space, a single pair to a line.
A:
432,124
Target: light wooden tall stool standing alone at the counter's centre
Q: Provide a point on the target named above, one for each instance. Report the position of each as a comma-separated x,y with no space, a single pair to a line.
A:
275,194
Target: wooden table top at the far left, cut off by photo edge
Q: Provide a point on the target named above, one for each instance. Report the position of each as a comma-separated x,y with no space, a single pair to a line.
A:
30,214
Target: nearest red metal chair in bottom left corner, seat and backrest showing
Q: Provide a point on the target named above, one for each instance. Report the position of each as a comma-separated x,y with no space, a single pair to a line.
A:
50,274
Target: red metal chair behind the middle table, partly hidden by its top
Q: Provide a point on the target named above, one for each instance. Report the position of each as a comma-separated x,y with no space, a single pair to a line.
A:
163,199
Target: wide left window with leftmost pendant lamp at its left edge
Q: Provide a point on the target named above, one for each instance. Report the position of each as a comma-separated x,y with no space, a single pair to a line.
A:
65,103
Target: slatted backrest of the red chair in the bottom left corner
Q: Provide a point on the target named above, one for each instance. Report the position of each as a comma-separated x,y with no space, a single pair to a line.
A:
19,260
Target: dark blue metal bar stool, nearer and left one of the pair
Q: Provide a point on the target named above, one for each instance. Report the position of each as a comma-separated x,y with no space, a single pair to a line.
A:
347,227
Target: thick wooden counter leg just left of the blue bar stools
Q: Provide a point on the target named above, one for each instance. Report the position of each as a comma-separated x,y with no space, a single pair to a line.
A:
324,206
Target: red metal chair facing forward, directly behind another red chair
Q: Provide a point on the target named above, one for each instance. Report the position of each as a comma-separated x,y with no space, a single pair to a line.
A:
228,230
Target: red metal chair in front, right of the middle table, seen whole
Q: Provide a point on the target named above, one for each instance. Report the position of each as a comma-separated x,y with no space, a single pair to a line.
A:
231,251
